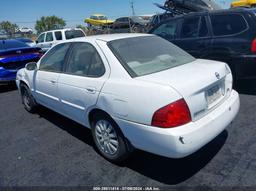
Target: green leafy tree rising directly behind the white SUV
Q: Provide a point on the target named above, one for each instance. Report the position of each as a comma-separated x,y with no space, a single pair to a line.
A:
49,23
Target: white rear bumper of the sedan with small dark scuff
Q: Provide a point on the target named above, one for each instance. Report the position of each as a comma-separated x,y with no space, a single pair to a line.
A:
185,140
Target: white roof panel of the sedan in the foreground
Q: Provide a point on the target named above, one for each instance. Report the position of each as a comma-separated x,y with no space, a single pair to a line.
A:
110,37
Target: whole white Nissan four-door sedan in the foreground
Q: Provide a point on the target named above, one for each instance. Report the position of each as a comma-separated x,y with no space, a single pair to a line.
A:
133,91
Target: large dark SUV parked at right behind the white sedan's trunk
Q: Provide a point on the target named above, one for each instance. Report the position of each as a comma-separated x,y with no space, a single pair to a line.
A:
226,35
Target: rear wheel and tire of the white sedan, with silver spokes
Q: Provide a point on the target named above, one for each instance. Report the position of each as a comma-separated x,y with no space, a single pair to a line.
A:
109,139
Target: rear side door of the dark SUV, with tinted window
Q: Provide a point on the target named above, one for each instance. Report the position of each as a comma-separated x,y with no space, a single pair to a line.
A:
194,36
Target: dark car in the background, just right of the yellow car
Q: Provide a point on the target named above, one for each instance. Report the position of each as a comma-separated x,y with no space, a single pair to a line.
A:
133,22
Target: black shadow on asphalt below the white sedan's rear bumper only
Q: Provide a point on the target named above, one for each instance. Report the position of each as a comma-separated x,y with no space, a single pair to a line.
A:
175,171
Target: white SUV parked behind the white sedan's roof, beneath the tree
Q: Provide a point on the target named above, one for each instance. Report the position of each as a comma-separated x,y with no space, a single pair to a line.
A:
49,38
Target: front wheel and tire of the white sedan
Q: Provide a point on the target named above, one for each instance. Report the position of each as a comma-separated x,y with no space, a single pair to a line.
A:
27,99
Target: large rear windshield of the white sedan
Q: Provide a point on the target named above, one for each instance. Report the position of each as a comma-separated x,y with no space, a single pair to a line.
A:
146,55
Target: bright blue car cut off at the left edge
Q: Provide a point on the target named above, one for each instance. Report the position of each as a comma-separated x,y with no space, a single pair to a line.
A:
13,56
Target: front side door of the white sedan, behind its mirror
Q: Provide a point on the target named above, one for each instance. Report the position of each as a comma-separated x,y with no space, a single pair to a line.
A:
46,77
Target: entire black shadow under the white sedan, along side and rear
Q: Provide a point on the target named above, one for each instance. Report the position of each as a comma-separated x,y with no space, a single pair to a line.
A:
165,170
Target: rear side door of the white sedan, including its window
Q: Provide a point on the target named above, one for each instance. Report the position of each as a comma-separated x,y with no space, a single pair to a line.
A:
80,85
